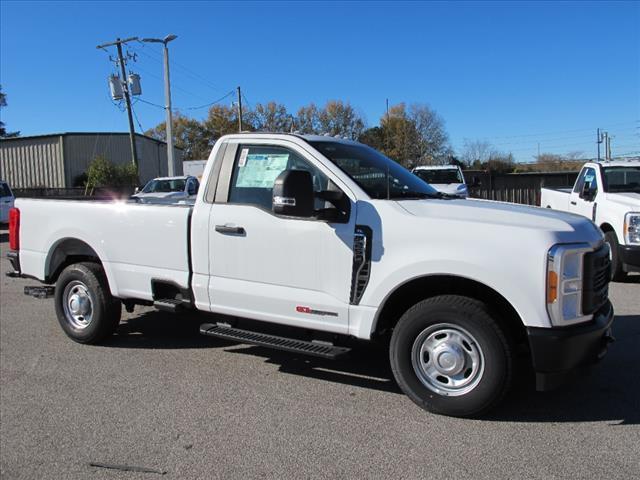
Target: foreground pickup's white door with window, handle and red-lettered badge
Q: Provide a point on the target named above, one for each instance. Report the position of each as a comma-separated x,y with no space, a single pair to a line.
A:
276,268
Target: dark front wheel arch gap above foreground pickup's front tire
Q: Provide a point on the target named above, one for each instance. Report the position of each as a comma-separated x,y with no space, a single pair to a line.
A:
411,292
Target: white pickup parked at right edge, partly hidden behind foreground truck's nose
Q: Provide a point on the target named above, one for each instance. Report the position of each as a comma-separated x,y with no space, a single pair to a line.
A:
609,194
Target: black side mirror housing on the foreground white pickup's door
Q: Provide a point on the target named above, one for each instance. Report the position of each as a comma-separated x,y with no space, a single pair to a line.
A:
293,194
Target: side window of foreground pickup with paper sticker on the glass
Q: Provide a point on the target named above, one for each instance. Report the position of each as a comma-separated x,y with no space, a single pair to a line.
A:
256,168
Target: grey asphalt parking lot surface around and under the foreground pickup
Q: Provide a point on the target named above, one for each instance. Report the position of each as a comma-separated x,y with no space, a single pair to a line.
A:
160,397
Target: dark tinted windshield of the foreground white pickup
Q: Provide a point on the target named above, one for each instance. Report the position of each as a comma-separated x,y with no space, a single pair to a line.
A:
376,174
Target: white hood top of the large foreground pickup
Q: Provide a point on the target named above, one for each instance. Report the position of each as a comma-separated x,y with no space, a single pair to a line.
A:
470,211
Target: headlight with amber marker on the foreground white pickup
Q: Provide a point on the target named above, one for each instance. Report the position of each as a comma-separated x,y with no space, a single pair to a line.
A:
565,282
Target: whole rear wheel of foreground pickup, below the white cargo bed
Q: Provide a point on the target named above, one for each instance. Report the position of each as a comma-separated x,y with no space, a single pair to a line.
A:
83,284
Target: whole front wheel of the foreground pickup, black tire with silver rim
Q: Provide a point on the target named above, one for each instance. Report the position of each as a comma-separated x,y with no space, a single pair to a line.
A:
478,335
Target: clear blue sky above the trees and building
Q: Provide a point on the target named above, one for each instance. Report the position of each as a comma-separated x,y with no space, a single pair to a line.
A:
519,75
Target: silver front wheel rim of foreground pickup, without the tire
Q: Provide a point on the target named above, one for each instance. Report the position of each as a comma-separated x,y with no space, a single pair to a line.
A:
447,359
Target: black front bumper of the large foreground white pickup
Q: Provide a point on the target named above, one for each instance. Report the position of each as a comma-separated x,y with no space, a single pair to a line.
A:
559,353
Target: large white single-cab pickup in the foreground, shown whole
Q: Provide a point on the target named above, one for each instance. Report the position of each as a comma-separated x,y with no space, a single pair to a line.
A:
332,237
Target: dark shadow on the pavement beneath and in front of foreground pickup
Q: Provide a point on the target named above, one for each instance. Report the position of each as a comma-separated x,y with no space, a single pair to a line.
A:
610,392
